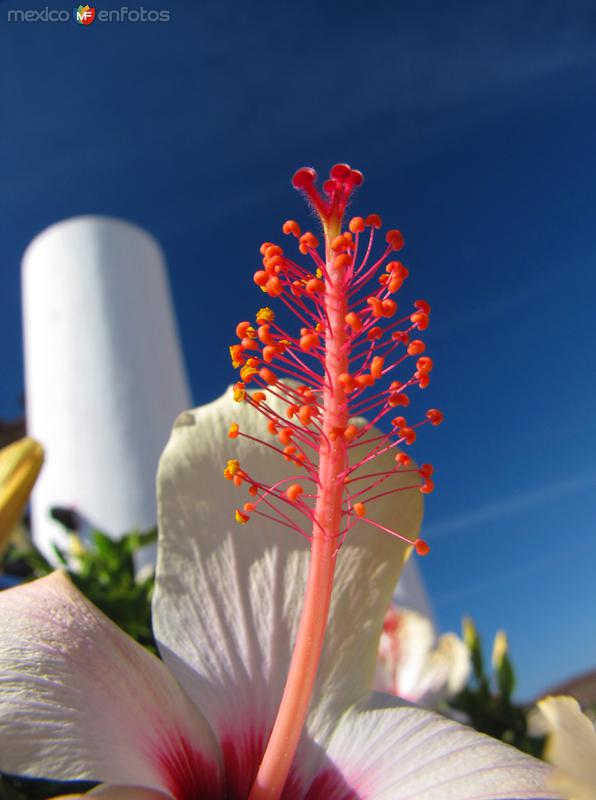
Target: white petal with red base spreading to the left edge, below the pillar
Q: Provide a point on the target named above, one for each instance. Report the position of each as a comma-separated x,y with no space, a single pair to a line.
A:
79,699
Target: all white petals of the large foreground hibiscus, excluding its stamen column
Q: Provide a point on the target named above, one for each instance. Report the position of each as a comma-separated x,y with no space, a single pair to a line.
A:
81,700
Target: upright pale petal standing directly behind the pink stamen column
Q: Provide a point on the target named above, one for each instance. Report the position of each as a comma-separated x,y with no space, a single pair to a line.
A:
228,597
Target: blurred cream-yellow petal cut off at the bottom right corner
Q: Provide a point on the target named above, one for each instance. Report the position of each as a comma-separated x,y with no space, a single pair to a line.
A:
571,746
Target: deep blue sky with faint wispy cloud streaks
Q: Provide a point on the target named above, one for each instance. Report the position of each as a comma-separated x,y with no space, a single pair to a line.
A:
475,126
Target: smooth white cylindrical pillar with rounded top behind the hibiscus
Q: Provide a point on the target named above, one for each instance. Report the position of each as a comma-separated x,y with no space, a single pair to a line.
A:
104,373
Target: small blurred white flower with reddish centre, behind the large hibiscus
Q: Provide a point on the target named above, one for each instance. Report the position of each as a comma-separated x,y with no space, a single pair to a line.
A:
415,667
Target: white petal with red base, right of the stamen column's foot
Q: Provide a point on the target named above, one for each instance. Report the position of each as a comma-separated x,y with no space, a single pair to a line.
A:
408,753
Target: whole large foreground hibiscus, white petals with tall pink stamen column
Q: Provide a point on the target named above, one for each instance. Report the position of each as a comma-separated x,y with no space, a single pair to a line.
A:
268,638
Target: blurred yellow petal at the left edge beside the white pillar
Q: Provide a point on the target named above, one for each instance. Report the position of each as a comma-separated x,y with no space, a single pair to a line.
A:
20,464
